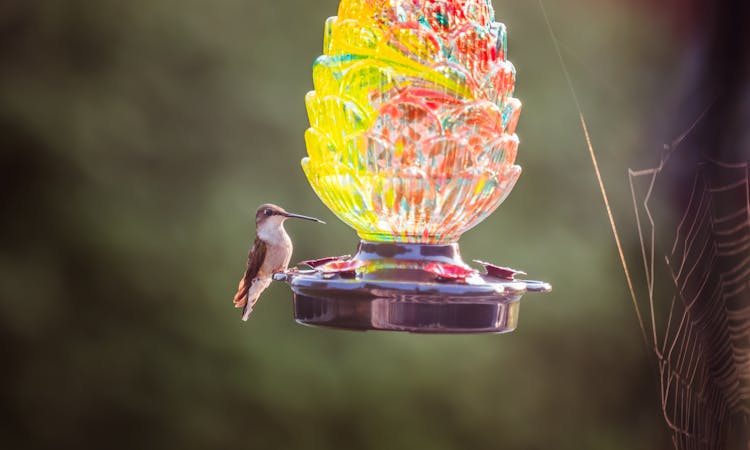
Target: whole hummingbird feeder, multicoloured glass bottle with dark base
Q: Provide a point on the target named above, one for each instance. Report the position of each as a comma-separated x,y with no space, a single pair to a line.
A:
411,143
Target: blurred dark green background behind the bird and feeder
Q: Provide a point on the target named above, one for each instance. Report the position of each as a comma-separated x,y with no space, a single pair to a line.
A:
138,138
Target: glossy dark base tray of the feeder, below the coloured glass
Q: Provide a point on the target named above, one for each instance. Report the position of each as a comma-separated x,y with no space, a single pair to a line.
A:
392,289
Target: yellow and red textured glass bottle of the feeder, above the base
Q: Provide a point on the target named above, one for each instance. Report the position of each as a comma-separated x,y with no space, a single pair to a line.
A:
412,123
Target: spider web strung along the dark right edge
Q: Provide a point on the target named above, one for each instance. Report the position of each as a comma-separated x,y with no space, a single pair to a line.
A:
697,292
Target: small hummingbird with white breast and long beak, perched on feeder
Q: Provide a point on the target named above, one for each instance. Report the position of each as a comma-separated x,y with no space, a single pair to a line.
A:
269,254
